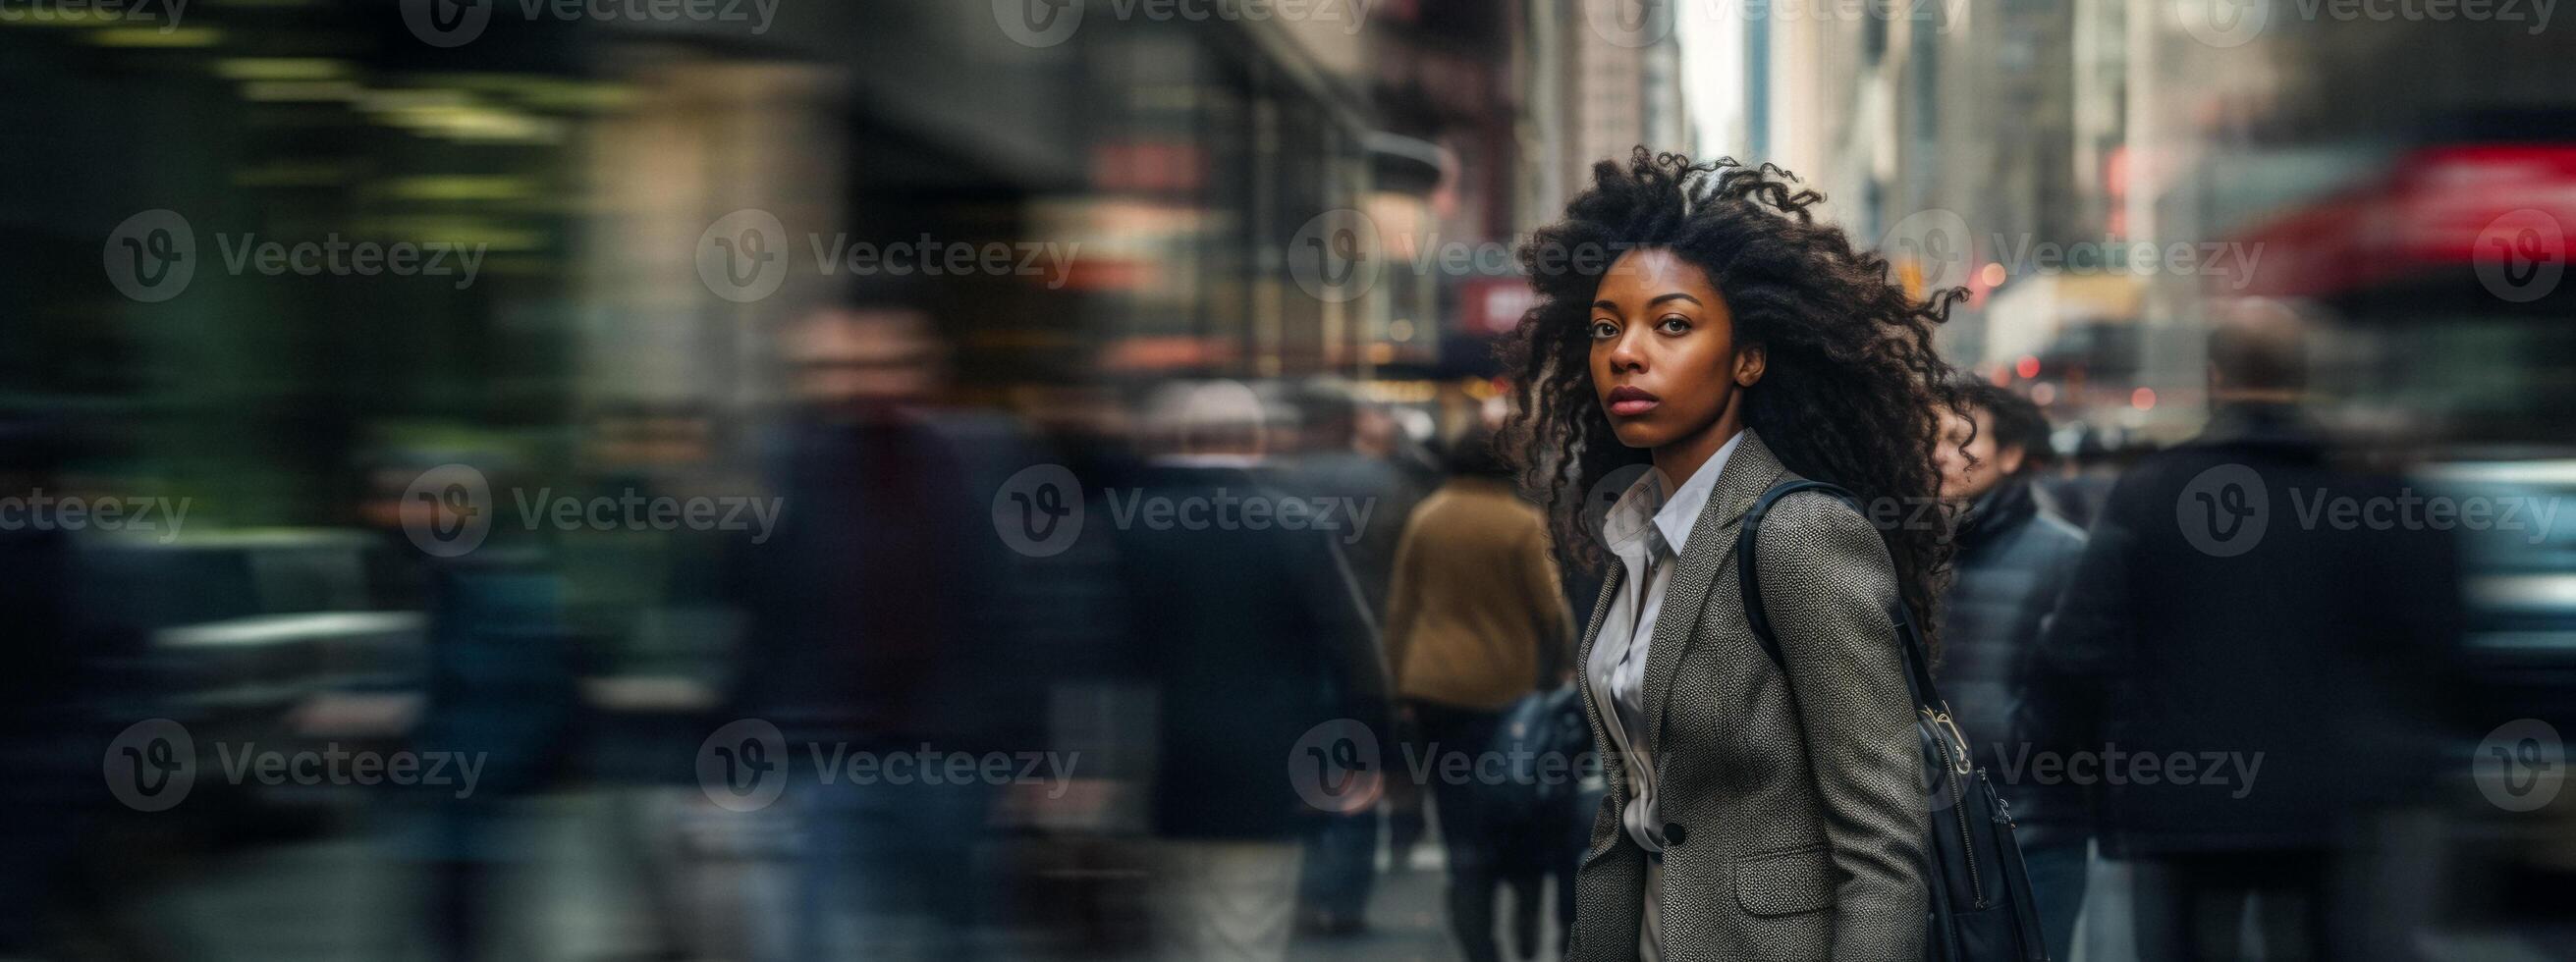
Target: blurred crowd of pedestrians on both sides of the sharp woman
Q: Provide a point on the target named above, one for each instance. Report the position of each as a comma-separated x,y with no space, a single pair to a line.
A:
1173,670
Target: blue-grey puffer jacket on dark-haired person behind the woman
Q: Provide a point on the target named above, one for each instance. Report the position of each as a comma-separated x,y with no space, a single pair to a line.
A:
2013,562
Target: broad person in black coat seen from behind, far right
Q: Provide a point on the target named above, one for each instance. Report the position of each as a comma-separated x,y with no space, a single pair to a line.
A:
2281,662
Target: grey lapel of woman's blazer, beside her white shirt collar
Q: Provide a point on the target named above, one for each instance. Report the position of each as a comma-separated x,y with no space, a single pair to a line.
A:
1712,549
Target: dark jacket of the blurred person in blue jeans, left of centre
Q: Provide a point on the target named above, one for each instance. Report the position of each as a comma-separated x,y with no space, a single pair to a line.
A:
880,606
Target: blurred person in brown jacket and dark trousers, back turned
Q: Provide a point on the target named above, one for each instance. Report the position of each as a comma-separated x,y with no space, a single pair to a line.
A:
1475,626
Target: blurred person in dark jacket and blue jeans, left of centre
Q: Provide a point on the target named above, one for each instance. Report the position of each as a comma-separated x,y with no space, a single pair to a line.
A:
877,626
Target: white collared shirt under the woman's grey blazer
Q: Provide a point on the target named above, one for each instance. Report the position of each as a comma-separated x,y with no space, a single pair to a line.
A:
1647,529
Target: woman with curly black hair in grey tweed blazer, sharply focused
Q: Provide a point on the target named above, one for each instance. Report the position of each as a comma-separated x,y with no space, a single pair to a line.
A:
1699,320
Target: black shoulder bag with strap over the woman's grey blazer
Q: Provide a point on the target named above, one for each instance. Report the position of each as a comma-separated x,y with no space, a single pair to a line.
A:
1982,907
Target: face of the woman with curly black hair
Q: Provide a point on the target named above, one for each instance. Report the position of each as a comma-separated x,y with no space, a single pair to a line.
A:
1665,361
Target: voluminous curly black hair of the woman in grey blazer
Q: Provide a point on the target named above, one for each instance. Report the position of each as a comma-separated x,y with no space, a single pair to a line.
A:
1851,382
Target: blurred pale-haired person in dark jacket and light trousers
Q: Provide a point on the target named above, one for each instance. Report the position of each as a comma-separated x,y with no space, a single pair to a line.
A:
1251,639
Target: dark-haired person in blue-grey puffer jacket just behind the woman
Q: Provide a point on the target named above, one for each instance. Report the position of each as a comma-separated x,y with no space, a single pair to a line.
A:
2011,567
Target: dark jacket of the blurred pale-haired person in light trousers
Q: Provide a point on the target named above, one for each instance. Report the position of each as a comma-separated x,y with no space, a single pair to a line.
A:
1251,639
